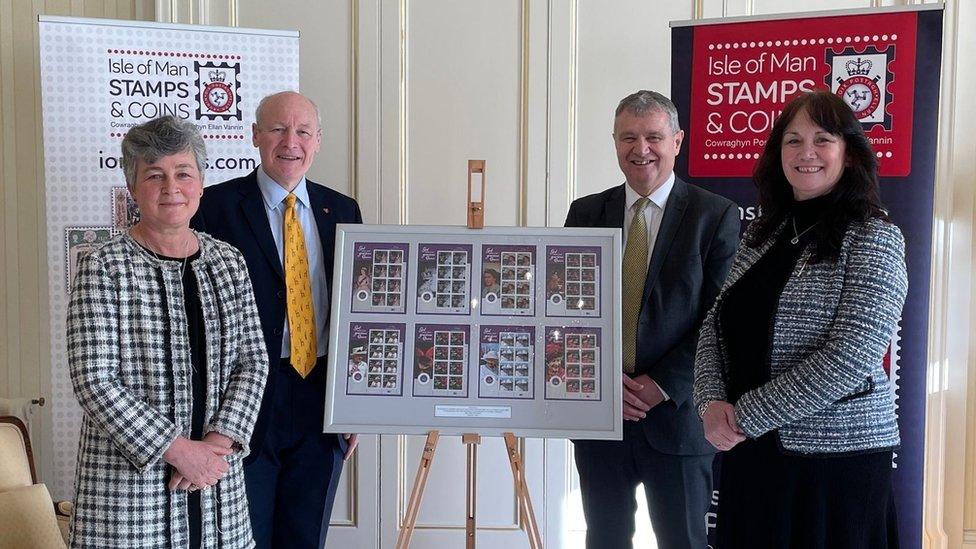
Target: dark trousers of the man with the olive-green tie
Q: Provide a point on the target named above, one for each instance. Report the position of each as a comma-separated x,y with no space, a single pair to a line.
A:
678,491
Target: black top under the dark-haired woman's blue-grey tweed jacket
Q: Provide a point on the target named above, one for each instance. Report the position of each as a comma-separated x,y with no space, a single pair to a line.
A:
748,310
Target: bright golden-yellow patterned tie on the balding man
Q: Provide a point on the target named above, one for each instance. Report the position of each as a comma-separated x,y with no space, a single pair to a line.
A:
301,316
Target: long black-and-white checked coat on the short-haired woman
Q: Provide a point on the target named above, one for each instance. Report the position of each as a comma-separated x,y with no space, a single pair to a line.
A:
129,362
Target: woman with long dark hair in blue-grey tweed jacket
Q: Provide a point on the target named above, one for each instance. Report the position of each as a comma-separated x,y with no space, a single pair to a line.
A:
789,377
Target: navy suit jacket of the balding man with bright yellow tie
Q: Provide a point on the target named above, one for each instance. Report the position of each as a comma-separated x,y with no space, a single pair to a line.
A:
234,212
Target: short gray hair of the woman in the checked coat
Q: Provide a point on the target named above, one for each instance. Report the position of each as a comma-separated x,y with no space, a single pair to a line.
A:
157,138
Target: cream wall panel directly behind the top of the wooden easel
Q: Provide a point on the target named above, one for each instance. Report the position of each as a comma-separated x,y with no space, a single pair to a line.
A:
463,101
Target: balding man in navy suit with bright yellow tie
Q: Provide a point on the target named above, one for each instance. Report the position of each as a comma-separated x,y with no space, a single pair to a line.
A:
293,468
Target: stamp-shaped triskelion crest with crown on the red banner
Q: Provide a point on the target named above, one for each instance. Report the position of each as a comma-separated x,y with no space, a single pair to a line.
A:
862,80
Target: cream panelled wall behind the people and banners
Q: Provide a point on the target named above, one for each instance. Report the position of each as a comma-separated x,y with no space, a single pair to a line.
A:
410,89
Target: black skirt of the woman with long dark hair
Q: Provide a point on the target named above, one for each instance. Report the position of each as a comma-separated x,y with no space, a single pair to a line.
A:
768,499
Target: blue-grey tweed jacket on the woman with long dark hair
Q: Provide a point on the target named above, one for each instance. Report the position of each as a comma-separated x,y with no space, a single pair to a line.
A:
829,393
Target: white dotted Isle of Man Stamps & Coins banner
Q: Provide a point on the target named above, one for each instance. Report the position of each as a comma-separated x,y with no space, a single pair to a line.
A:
101,77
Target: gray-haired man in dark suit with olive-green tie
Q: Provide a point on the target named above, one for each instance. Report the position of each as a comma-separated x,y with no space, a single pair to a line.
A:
680,240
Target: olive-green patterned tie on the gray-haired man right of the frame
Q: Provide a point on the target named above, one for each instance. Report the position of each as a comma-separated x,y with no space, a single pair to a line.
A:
634,273
